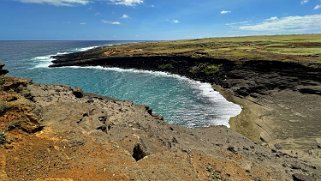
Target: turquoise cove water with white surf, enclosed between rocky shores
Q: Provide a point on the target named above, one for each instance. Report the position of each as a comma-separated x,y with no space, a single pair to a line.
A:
178,99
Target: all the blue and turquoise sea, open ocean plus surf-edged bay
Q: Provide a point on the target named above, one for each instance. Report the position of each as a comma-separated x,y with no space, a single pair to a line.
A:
178,99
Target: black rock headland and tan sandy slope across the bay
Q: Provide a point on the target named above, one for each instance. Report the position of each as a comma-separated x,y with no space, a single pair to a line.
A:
270,91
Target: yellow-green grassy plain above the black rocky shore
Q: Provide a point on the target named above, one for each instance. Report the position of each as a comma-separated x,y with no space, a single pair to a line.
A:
297,48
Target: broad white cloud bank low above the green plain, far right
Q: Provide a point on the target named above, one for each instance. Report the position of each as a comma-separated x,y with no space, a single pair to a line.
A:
289,24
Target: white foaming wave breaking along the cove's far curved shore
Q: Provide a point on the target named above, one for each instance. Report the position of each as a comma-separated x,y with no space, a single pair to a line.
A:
226,108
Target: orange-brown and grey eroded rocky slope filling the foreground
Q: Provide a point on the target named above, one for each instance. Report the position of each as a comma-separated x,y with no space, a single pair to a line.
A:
55,132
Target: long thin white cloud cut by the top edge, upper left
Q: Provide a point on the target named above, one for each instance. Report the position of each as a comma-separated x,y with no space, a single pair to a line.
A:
58,2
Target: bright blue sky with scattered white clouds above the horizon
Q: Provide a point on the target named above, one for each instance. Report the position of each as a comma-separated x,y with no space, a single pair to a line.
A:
155,19
